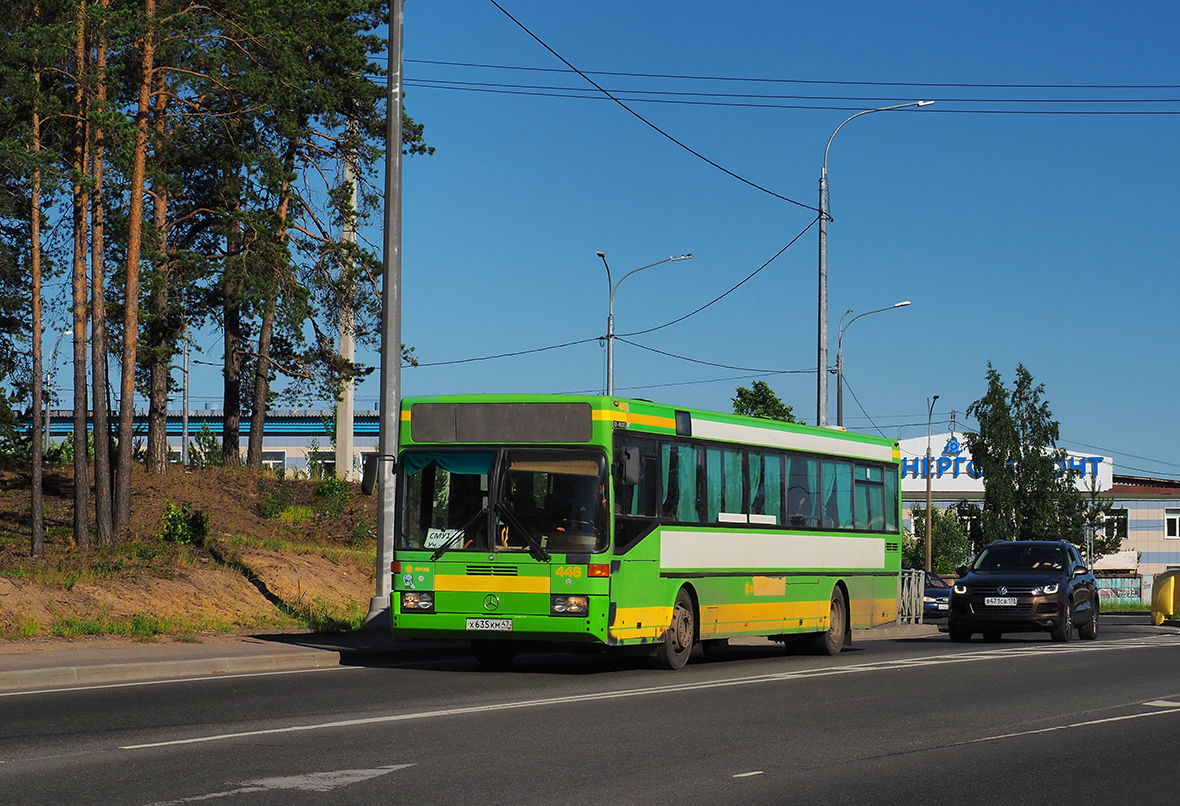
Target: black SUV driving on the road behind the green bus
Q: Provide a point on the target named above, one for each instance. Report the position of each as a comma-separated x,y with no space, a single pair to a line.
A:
1025,586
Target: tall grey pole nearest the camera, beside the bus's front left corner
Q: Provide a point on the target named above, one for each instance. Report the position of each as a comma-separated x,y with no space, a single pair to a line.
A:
391,329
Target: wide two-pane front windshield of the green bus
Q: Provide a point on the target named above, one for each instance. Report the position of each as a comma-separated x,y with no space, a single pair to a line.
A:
552,499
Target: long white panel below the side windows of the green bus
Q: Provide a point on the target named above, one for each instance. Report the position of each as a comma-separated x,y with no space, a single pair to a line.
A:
761,552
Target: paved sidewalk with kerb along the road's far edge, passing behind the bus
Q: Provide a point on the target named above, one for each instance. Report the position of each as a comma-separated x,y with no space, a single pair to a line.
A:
62,664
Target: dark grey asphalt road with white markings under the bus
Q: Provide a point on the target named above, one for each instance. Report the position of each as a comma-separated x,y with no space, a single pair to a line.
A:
887,723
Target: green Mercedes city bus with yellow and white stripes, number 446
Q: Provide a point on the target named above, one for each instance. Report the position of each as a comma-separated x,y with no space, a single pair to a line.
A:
626,523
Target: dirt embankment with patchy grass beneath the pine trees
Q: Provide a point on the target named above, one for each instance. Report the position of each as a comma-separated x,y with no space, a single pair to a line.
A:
277,555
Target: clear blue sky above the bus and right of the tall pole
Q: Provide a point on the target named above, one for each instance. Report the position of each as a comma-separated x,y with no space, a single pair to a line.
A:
1021,234
